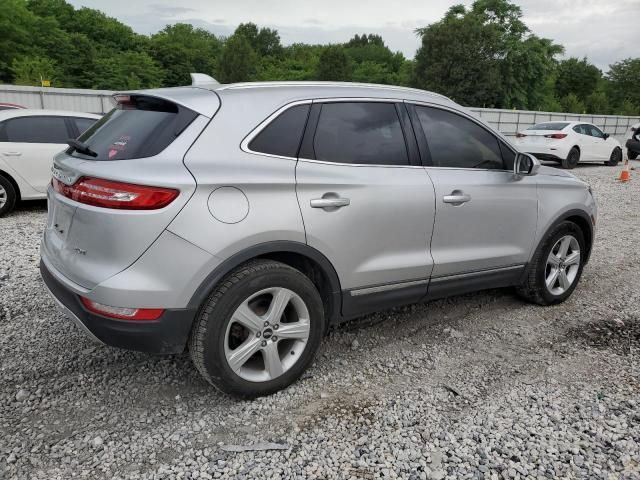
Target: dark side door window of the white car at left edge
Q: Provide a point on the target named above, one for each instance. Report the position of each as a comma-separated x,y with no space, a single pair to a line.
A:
35,130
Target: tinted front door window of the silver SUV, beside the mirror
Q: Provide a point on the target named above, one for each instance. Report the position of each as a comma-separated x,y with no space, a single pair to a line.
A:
455,141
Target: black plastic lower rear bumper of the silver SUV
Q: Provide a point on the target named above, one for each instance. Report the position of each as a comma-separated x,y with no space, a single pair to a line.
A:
169,334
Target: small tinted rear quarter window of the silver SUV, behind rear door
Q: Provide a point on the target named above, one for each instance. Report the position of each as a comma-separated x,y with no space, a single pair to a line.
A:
283,135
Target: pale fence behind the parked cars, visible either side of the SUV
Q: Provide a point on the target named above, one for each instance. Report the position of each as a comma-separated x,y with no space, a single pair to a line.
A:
509,122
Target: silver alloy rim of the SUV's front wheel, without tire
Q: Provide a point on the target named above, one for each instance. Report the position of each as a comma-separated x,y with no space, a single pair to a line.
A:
563,264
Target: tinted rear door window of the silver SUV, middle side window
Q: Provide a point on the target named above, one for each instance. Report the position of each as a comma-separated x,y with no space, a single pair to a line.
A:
360,132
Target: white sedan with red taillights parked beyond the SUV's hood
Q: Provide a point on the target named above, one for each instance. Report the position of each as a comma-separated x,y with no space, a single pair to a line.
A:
569,143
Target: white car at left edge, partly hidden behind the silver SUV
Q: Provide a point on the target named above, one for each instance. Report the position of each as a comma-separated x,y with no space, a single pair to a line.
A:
28,141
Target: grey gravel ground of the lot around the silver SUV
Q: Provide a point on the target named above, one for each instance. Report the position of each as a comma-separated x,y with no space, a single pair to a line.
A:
477,386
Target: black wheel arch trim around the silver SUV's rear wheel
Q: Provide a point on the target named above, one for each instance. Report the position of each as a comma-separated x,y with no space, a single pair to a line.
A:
297,255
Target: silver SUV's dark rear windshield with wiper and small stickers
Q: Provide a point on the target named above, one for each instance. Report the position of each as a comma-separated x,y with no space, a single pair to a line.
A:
138,127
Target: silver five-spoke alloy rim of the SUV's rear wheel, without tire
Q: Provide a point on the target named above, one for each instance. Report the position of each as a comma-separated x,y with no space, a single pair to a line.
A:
267,334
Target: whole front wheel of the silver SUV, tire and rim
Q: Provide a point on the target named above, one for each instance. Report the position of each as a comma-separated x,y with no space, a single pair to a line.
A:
556,267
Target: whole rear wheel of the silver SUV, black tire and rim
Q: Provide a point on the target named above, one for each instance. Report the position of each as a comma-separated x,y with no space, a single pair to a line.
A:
259,329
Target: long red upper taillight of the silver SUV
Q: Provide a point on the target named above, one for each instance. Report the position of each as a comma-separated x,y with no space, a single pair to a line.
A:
110,194
